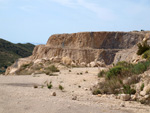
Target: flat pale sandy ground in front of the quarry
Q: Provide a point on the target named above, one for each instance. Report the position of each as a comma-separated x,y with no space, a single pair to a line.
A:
18,95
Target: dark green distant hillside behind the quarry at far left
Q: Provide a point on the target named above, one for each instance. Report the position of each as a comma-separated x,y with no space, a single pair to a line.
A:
9,52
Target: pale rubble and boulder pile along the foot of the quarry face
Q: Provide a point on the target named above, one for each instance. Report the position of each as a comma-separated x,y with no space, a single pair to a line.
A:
39,66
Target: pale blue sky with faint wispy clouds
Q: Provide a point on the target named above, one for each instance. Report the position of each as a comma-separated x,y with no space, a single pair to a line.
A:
35,20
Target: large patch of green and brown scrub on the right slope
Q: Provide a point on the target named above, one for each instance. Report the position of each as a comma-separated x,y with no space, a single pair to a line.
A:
115,76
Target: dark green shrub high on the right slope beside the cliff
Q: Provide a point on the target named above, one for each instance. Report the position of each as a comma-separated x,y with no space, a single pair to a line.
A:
142,47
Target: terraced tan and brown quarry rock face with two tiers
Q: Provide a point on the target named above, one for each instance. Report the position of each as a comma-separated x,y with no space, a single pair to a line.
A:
86,47
